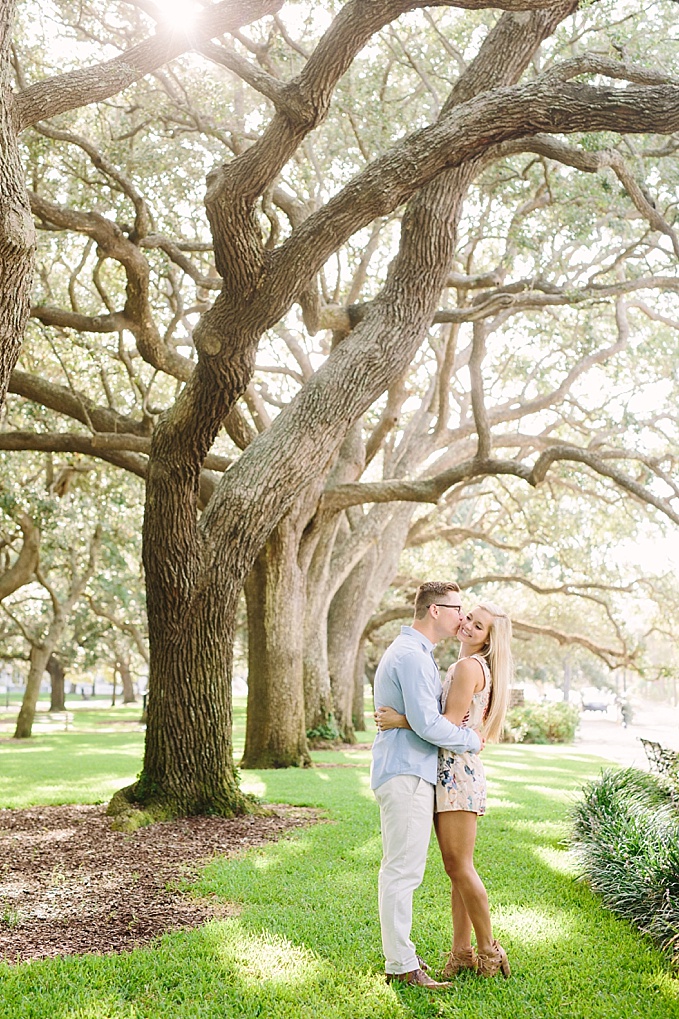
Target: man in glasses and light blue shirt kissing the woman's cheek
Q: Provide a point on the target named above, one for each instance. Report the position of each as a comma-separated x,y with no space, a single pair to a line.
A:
404,769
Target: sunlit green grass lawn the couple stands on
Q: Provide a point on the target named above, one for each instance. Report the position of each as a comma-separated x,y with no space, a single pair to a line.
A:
305,941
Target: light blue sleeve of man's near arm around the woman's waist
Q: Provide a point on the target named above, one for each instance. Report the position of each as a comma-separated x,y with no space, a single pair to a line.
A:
422,688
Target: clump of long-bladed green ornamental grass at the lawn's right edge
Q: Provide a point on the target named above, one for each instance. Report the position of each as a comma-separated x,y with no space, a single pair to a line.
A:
626,837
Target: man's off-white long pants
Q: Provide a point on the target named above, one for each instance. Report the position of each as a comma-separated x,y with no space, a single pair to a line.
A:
406,807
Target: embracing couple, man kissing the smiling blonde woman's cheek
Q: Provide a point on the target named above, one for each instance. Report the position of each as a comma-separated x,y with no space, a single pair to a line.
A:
426,766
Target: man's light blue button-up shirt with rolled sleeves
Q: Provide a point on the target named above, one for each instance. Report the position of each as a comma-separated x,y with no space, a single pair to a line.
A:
407,679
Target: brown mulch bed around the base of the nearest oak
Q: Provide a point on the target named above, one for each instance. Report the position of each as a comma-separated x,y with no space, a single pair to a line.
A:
71,885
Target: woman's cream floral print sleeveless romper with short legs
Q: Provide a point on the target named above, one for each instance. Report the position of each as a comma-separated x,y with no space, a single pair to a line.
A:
461,780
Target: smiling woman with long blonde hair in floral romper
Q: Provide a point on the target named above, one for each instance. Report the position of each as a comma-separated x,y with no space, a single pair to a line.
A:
476,694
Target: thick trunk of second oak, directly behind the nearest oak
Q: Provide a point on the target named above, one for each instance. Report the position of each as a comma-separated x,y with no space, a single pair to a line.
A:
276,735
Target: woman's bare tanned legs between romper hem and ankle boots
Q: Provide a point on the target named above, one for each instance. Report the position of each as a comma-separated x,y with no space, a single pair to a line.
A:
456,831
